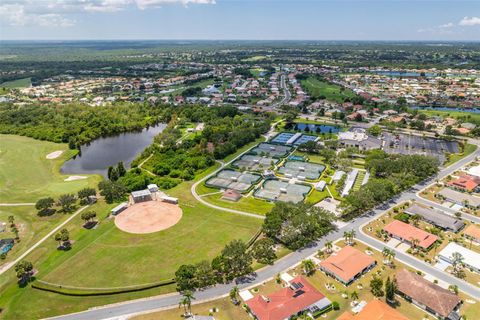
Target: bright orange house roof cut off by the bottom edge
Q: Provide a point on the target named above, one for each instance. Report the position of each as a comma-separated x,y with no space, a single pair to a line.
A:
374,310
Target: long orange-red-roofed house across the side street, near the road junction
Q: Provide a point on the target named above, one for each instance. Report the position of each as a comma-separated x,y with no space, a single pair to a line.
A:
407,233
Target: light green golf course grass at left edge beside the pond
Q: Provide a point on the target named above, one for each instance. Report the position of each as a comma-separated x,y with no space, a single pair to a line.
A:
26,175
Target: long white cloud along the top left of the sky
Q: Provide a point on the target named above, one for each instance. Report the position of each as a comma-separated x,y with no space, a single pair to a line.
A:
55,13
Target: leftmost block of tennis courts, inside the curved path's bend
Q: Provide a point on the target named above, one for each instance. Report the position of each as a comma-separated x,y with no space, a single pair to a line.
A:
230,179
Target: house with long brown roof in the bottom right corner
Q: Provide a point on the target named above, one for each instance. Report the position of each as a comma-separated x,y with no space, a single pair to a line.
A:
432,298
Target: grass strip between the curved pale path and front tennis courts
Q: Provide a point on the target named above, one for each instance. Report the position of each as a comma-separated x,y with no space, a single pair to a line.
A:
247,204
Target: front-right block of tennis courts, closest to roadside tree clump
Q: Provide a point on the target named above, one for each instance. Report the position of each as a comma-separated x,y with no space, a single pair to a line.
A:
276,190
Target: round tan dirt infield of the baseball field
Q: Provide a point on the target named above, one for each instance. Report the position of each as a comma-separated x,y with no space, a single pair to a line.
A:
148,217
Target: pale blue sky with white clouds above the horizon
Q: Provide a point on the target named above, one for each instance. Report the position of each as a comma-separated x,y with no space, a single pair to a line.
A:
241,19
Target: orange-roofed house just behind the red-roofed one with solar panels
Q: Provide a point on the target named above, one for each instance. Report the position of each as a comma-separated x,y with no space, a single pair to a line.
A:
347,265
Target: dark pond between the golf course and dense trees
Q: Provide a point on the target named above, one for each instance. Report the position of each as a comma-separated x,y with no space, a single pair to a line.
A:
101,153
